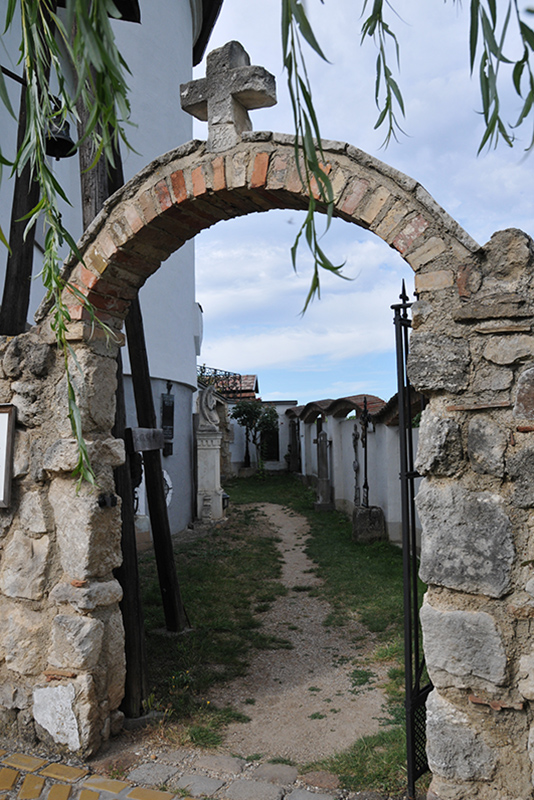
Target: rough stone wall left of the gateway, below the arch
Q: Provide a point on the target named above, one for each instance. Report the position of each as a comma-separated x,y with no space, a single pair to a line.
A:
61,634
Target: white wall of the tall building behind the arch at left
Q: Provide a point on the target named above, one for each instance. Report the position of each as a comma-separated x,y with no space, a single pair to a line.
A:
159,55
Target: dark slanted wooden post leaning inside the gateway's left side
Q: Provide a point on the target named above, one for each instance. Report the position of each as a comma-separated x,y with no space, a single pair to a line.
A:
175,614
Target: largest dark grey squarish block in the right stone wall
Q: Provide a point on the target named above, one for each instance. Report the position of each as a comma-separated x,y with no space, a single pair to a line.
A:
467,539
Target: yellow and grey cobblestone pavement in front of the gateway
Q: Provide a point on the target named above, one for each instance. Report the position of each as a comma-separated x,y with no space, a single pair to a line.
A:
170,774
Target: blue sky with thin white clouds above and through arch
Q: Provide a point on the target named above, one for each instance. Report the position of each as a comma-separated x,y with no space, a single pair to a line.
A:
245,282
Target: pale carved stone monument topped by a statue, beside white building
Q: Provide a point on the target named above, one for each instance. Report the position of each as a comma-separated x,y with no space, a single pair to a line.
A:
208,444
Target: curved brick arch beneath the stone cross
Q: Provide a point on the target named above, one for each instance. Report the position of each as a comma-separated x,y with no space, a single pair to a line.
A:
190,189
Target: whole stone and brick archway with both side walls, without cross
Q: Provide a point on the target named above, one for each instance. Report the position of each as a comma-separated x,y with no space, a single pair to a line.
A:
472,354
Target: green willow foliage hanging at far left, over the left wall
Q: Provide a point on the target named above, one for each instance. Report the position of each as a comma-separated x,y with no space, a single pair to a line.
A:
80,36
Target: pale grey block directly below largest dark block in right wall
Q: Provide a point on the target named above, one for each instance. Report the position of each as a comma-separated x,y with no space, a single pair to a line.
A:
461,646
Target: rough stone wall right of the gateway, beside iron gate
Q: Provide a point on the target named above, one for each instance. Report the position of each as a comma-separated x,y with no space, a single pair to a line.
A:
472,353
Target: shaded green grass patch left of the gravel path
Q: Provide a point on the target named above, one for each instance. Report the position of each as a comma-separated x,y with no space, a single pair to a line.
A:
223,578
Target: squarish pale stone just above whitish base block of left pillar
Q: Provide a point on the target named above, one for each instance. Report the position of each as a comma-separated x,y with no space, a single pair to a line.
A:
76,642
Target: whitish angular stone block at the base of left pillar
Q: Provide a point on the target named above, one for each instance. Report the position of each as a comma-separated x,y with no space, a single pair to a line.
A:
53,710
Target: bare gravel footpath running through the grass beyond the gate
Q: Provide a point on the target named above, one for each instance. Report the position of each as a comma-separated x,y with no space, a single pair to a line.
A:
317,698
